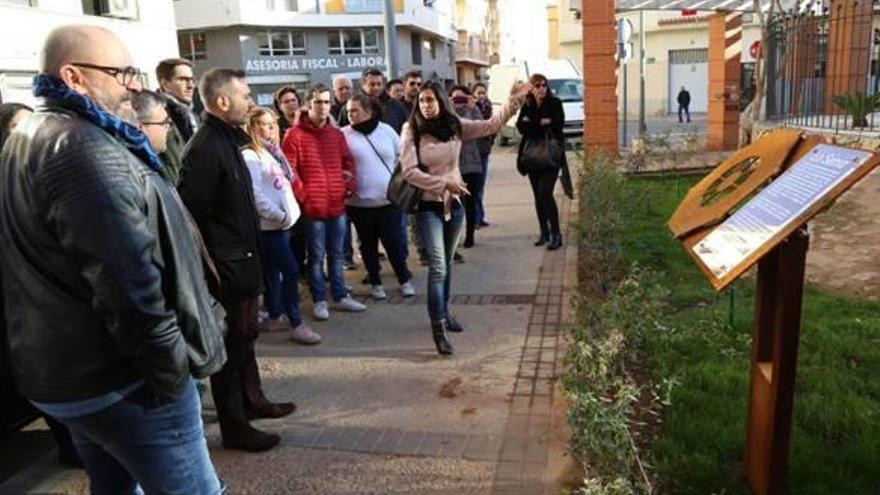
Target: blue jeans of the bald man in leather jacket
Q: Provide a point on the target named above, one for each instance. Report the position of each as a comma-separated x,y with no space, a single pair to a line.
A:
137,445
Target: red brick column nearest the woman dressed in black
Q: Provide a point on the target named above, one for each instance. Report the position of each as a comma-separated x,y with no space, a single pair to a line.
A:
600,76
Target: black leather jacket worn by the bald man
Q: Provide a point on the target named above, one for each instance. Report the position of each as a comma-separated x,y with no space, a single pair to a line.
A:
102,276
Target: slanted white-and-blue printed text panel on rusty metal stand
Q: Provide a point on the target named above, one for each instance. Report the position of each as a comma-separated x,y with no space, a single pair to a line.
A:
778,210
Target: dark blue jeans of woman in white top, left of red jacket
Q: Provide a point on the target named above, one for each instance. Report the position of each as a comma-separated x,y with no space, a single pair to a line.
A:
282,276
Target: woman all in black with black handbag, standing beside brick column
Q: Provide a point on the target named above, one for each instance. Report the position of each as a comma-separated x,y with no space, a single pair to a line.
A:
542,156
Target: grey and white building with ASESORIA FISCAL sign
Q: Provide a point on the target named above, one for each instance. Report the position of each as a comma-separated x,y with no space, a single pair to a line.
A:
303,42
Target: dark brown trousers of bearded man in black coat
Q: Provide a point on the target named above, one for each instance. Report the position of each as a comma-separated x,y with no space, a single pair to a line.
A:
237,387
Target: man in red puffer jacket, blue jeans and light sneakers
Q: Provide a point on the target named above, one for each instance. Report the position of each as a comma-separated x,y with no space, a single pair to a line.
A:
319,157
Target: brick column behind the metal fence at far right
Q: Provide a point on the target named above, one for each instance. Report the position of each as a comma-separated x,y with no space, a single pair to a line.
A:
849,49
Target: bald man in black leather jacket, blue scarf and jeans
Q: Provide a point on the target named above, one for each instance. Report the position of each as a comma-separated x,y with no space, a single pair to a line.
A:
110,315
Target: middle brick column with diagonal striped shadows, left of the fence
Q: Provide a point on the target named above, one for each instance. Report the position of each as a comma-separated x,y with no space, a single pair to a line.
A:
725,48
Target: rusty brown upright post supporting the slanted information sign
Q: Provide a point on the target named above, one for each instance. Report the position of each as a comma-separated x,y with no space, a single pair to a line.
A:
774,361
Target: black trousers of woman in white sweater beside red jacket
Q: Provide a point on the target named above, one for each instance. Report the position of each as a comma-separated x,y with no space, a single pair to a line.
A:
375,224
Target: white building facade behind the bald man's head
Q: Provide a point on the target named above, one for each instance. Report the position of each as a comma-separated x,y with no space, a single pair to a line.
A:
145,26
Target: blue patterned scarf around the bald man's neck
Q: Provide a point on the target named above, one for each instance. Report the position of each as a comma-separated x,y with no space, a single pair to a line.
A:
51,87
